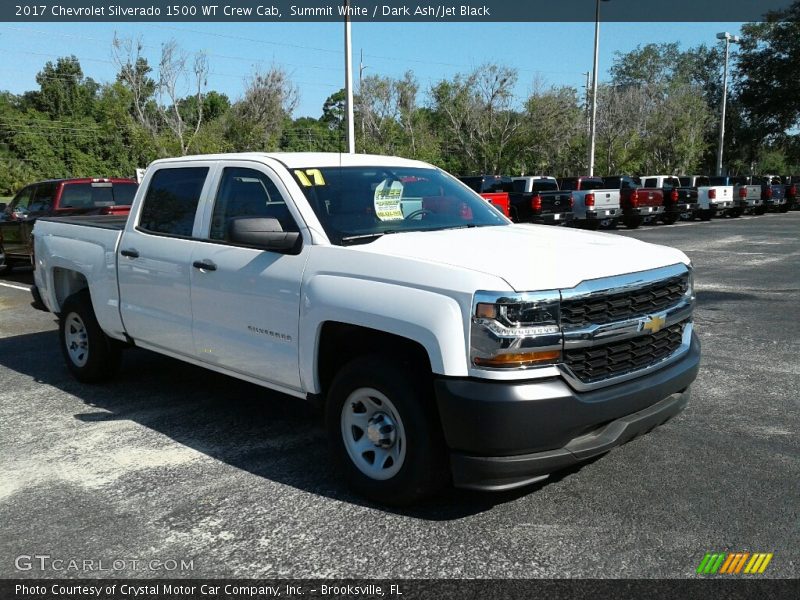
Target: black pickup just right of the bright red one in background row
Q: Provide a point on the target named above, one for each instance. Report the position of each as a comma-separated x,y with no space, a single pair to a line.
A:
537,199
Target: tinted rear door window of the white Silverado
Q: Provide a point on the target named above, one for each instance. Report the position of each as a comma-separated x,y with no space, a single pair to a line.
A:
171,201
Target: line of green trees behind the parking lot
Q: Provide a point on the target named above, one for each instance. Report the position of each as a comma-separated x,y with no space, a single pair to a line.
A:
659,113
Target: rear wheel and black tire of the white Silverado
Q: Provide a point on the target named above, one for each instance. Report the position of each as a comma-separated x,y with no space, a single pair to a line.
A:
101,357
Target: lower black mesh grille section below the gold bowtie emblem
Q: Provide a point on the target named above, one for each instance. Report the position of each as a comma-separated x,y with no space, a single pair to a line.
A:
591,364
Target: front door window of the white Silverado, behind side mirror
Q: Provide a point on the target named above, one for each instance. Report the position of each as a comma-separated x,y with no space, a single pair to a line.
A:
247,193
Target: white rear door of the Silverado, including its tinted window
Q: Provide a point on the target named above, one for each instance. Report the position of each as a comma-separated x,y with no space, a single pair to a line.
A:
155,257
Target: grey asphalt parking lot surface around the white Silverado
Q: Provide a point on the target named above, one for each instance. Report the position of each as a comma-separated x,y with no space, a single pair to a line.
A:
173,462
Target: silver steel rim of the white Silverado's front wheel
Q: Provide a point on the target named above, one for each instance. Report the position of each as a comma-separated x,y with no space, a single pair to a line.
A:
373,434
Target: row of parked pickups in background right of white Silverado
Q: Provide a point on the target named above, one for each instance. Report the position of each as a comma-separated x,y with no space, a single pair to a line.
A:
594,202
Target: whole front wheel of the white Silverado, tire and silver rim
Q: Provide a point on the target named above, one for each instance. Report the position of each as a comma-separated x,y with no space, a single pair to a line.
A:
384,431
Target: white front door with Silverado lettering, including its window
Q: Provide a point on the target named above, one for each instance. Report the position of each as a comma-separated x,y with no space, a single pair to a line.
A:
246,301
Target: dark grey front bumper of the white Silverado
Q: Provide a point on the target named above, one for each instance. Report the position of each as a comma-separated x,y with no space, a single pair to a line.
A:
504,435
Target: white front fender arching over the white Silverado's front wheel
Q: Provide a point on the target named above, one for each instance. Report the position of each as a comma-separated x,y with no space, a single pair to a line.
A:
432,320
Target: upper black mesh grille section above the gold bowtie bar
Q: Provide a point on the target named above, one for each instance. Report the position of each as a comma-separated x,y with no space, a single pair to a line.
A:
620,305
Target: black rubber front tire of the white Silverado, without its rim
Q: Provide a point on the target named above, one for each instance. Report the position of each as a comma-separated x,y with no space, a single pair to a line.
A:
424,468
